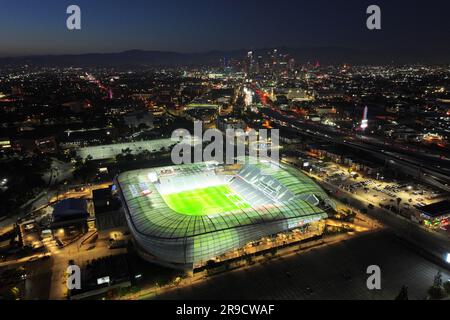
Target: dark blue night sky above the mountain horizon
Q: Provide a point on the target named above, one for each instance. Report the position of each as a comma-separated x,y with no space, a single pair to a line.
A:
39,27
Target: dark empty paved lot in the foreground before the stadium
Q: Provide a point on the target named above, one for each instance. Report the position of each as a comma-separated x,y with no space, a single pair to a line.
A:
323,270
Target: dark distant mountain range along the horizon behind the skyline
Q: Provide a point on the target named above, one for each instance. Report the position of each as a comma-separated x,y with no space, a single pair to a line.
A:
325,55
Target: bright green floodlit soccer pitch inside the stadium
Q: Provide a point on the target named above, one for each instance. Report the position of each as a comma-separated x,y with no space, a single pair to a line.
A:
205,201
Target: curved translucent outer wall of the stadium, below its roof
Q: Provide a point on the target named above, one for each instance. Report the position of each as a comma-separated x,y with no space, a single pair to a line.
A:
189,251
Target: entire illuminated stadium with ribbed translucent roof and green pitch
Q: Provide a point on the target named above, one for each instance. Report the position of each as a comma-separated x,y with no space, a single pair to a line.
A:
184,216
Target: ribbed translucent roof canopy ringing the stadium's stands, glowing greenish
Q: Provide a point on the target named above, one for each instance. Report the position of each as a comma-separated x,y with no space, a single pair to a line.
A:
152,217
